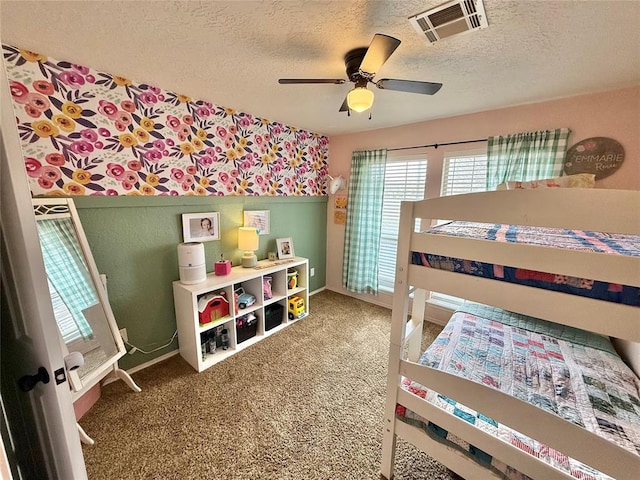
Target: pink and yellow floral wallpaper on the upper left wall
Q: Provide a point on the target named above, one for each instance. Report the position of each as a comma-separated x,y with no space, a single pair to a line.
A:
93,133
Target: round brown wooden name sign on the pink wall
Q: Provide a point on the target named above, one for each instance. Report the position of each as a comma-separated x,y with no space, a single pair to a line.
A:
599,155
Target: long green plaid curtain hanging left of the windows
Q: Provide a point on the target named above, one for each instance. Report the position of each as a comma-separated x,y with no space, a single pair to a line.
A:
364,218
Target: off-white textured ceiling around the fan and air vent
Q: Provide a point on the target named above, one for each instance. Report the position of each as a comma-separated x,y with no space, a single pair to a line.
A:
233,52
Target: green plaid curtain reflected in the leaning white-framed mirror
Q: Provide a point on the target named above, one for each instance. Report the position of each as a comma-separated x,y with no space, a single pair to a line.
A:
66,270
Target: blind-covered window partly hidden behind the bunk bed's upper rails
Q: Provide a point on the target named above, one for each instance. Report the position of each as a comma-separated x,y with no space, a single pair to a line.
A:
462,172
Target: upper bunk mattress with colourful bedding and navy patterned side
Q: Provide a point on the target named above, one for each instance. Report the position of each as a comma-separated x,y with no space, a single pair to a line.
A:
613,244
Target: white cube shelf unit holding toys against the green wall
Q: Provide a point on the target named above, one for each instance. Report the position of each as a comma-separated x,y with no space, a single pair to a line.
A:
194,337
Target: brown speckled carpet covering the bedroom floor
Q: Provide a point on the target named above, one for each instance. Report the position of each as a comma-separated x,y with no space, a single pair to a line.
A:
304,404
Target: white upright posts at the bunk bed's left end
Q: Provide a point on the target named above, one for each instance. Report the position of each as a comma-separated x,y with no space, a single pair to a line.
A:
398,327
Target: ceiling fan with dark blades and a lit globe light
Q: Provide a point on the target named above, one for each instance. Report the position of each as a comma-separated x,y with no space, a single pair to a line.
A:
362,64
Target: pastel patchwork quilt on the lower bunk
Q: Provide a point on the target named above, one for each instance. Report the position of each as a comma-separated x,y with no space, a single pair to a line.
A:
569,372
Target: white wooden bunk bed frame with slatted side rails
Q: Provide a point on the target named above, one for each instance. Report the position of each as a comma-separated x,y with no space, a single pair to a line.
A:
611,211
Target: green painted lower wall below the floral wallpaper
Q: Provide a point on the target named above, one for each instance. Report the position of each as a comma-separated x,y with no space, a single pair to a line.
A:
134,242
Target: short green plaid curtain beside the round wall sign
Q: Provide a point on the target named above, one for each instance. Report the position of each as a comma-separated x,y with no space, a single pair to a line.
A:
526,156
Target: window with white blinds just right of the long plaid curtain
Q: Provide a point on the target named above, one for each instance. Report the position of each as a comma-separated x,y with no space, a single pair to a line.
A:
405,179
